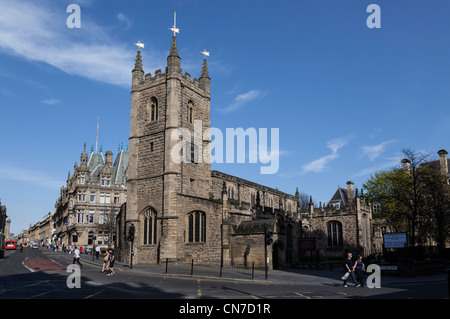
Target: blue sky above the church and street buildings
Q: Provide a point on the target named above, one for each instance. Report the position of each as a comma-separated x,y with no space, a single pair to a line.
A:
346,98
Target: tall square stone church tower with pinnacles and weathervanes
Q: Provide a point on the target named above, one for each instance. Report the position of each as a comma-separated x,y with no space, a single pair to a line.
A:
162,106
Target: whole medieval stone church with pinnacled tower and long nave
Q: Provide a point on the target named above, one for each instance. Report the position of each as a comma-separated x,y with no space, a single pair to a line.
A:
182,210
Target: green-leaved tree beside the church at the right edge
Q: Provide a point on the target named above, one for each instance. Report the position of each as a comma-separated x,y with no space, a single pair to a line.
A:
413,198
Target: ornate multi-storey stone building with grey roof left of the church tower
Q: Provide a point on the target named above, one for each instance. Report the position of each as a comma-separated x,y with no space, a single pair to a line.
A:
91,199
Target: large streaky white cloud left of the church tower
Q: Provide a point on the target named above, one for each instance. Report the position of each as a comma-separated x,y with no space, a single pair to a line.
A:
38,32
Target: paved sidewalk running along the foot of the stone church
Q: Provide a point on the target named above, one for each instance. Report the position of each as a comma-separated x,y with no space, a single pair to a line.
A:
286,276
